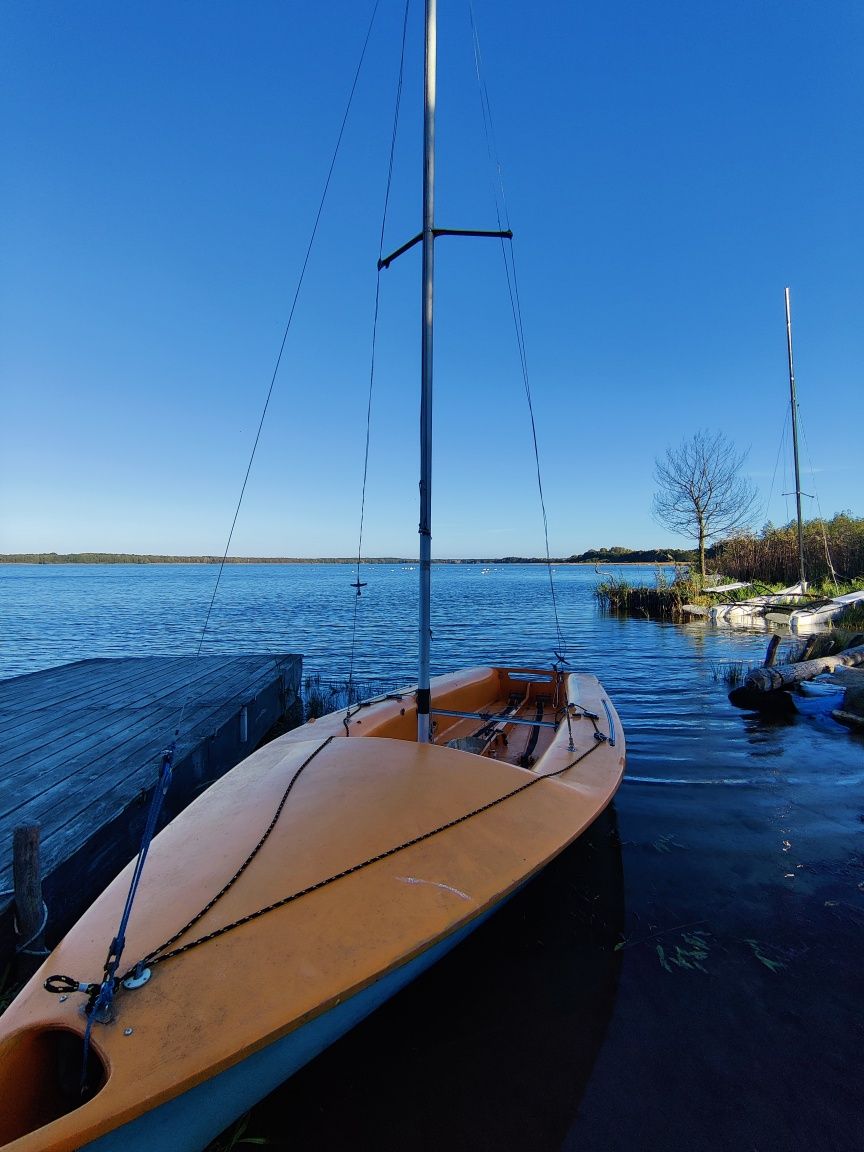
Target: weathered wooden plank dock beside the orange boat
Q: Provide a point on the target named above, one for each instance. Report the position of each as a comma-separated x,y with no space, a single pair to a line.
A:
80,754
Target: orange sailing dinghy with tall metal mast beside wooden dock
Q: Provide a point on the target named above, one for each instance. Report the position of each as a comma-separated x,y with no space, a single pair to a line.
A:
305,889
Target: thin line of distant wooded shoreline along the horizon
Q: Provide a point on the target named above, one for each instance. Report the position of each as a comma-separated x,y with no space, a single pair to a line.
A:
110,558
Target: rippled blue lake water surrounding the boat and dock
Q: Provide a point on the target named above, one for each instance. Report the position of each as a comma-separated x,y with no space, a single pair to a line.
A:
687,977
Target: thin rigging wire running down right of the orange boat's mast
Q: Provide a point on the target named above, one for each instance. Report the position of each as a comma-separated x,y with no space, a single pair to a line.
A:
509,253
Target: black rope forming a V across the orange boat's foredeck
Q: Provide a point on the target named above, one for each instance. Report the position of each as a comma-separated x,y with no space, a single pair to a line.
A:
158,957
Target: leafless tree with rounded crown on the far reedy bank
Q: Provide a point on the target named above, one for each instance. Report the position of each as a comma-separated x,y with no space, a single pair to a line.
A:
703,494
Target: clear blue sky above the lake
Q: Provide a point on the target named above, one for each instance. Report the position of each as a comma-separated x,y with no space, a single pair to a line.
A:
670,168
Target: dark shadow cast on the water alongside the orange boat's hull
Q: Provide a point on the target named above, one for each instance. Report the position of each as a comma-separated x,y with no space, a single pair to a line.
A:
494,1048
